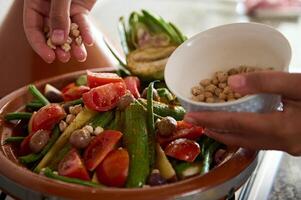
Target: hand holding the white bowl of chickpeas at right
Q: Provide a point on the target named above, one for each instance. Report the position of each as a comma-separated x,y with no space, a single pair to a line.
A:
275,130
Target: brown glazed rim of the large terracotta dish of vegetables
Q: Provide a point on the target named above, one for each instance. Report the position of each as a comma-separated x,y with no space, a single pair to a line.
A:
38,183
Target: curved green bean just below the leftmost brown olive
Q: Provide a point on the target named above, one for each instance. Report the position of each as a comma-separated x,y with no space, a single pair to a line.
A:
37,156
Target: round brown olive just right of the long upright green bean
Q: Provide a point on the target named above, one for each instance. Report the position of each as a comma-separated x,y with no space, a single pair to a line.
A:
166,126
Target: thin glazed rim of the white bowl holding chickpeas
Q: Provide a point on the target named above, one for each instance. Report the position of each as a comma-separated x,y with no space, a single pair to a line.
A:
230,103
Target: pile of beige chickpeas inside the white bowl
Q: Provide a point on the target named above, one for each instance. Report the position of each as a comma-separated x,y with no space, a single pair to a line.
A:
216,89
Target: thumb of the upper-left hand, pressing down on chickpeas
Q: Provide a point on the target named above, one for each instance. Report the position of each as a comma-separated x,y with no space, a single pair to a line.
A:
59,21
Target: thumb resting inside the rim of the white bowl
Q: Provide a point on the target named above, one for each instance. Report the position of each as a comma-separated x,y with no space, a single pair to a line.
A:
285,84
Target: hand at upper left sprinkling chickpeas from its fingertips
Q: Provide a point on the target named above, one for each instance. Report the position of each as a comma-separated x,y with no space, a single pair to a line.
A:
57,14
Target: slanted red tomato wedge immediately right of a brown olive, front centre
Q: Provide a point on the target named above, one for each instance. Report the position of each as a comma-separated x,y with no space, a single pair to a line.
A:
100,147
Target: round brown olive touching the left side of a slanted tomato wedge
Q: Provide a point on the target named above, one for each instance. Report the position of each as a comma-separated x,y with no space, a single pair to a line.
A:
80,138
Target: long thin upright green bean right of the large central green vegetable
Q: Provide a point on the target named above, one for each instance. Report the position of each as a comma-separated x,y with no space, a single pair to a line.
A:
151,124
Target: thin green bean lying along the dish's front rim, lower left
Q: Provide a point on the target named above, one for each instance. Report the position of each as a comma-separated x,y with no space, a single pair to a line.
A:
49,173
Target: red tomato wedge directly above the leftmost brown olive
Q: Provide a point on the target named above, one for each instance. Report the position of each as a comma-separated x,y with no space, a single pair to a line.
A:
47,117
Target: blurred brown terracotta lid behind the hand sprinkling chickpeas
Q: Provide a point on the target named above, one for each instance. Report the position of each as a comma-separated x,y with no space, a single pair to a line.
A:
19,65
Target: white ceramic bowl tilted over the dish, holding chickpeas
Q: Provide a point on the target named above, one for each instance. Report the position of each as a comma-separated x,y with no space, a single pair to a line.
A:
222,48
